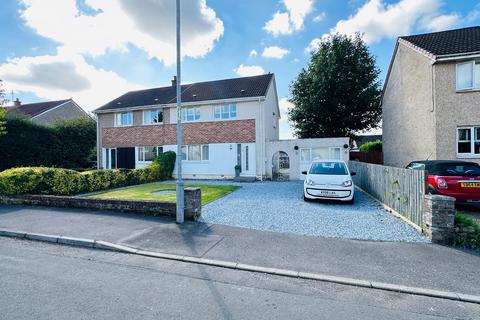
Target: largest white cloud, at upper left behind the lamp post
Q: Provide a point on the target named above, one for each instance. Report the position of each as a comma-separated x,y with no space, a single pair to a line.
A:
148,25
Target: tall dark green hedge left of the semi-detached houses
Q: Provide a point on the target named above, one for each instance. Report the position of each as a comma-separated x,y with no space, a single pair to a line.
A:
66,145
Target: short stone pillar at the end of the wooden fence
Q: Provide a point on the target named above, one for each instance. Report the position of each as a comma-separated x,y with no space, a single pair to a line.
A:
439,218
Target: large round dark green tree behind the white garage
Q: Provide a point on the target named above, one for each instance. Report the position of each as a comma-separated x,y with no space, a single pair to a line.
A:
338,94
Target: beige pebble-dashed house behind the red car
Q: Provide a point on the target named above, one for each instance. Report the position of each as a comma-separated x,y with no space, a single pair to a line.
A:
431,98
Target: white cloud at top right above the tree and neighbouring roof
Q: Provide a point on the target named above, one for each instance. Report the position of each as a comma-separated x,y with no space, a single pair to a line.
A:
377,20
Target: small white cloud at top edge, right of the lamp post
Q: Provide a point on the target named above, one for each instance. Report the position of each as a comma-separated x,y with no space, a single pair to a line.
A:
291,20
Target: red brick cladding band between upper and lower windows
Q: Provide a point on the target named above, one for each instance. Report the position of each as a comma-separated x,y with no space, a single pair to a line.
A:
237,131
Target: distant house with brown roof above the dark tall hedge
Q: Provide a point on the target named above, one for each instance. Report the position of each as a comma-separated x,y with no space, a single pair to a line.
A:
50,112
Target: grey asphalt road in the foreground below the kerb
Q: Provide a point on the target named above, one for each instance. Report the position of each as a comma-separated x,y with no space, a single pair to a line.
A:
48,281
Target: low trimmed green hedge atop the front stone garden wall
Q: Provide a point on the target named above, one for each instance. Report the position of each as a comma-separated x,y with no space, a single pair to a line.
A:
56,181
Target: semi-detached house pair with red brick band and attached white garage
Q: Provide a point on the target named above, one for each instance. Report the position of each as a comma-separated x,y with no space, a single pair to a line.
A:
225,123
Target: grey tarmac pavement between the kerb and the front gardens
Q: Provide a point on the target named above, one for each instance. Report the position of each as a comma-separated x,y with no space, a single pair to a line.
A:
410,264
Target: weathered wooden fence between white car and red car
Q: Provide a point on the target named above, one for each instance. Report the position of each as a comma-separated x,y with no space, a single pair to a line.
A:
403,190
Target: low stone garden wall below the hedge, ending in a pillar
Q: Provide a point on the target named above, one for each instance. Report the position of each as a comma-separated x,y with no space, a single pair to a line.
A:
193,204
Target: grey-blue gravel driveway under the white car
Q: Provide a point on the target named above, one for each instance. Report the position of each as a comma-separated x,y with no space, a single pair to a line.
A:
279,206
